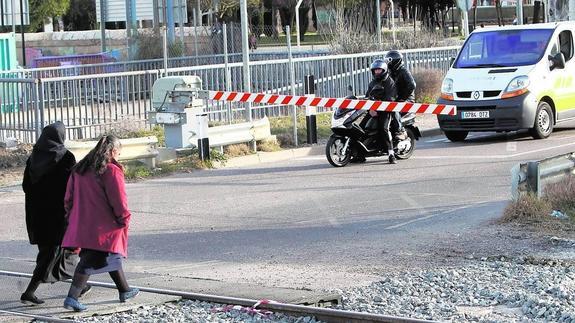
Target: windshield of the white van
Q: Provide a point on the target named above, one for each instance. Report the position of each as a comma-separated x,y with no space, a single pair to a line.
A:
501,48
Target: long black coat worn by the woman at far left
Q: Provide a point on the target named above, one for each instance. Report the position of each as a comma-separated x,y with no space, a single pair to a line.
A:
45,215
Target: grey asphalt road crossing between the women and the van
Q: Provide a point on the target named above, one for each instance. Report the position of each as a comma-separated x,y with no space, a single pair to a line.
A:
304,224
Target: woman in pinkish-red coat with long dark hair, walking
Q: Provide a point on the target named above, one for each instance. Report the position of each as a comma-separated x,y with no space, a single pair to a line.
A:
98,220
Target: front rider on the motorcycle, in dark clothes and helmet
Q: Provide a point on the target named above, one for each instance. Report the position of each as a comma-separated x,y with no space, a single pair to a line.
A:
382,88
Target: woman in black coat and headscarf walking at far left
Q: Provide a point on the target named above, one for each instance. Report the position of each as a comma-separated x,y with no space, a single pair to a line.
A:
45,178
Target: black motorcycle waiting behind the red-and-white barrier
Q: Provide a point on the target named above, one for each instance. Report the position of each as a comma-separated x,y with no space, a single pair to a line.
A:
355,135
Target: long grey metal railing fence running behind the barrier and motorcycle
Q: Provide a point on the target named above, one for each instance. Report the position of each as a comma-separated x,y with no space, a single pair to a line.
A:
92,104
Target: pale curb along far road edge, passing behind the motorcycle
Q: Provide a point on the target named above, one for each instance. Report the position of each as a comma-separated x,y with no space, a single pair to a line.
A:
288,154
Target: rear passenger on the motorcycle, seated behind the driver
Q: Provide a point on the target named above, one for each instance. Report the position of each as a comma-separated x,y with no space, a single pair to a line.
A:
405,88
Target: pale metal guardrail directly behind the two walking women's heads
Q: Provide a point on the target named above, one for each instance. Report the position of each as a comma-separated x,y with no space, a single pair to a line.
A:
143,149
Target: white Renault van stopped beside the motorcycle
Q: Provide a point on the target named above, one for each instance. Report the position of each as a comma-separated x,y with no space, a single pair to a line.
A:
511,78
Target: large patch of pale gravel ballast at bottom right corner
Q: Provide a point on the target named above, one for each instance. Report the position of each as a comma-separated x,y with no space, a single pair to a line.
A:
485,291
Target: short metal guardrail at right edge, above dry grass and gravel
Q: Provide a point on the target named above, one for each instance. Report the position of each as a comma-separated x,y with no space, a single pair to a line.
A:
533,176
